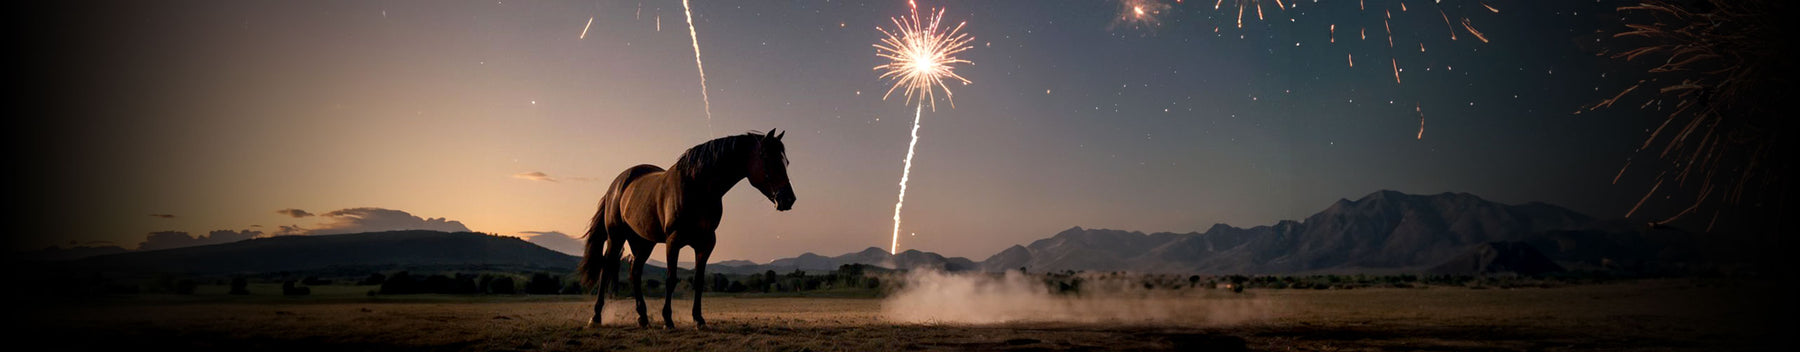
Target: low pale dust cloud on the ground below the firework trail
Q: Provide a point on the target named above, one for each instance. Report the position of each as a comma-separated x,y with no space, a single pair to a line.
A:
937,297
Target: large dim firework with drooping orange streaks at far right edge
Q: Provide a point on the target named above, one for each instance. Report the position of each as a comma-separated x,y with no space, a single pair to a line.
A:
1714,69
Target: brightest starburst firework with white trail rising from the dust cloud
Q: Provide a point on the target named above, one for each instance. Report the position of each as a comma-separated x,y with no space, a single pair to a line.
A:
921,58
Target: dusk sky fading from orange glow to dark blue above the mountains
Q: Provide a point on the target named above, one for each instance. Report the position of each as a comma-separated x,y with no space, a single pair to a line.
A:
215,116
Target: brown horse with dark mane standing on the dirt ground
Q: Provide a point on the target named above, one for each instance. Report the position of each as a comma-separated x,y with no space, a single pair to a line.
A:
681,207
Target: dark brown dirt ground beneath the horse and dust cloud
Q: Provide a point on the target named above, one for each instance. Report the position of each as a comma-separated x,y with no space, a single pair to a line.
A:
1662,315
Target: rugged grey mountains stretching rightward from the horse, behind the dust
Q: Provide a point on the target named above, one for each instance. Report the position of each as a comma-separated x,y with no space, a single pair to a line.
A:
1383,233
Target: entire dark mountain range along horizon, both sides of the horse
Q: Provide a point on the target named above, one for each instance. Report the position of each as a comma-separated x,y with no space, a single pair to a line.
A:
1383,233
